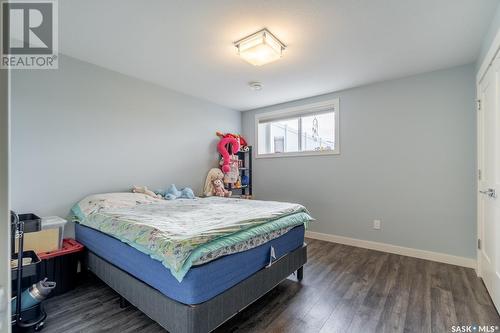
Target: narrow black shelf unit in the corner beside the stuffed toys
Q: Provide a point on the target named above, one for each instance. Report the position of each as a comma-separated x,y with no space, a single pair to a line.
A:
243,187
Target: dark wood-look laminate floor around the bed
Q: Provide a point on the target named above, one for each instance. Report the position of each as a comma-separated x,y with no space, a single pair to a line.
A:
345,289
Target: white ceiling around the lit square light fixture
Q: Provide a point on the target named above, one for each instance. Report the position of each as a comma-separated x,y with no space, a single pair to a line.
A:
332,44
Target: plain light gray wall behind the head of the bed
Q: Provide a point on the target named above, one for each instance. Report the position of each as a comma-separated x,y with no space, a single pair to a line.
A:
83,129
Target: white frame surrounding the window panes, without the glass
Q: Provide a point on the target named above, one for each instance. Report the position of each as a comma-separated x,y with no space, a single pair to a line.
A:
296,111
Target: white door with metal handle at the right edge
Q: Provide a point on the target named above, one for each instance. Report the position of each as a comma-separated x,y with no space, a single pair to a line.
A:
489,180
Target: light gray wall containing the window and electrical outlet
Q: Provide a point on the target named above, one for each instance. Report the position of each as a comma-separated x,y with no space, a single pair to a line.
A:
407,158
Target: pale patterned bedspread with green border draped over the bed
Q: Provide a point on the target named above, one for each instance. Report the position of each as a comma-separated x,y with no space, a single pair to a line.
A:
181,232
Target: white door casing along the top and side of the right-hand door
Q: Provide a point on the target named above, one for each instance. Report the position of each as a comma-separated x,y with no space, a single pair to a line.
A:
488,60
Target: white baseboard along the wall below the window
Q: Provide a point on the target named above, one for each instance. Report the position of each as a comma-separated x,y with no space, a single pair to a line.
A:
405,251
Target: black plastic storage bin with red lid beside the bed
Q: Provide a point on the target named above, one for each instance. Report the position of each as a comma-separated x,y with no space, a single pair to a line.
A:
62,266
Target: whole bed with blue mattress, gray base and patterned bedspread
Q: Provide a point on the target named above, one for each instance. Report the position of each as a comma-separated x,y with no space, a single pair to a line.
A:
190,265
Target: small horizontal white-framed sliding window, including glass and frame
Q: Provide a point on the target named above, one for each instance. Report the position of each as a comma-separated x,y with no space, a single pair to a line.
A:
307,130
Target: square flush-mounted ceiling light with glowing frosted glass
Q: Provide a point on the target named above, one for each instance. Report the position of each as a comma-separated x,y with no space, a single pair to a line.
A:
260,48
